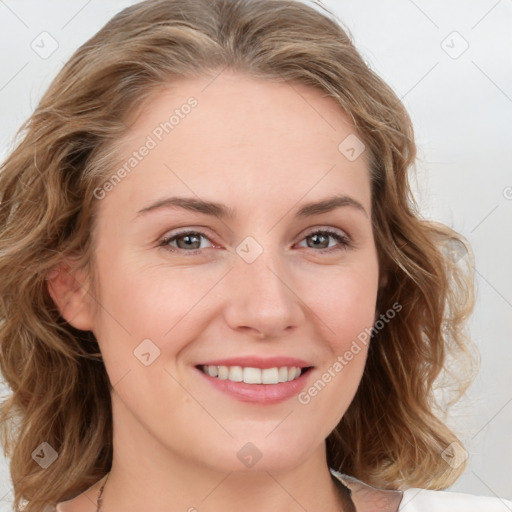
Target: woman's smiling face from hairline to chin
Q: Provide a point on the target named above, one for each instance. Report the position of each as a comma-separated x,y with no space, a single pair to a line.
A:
263,284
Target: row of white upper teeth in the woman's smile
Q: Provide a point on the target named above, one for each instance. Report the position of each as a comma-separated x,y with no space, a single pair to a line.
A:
253,375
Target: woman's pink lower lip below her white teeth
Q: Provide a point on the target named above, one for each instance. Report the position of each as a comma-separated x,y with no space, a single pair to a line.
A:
259,393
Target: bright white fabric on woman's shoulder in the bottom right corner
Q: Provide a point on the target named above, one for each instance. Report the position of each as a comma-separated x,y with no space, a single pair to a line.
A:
423,500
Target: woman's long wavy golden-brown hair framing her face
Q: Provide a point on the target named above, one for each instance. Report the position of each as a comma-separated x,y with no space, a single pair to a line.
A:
395,430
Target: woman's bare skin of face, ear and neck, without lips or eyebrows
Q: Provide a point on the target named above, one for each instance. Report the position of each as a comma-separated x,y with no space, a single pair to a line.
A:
263,149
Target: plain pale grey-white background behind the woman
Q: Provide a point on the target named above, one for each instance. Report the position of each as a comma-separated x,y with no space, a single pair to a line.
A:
450,62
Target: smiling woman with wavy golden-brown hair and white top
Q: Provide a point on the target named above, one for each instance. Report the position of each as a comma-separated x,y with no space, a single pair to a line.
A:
216,291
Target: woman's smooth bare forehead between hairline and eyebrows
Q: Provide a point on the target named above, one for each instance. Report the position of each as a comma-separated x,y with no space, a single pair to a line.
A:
241,140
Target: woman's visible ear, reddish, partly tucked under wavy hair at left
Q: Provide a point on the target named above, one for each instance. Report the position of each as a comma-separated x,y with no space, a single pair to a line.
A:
69,289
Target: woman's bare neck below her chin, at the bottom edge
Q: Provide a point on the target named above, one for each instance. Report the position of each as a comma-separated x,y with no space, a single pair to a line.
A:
289,491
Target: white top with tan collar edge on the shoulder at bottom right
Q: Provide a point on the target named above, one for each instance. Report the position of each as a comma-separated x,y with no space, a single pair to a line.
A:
371,499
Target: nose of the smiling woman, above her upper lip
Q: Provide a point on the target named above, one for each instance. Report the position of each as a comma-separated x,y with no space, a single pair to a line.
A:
261,297
